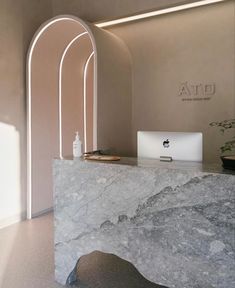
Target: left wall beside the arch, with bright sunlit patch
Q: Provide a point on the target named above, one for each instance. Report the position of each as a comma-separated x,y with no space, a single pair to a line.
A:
18,22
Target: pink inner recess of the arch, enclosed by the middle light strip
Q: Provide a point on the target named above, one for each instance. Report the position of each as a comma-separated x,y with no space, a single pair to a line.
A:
74,96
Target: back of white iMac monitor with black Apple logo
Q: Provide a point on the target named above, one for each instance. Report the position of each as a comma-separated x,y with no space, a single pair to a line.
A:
184,146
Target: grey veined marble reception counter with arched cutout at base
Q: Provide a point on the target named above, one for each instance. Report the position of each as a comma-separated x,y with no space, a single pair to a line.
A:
173,221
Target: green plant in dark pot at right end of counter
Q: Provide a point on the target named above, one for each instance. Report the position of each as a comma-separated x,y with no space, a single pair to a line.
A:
228,148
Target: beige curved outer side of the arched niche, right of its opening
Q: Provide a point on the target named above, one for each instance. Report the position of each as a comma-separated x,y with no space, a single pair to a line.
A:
113,93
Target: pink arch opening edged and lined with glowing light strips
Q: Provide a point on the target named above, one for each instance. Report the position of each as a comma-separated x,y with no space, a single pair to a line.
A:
61,94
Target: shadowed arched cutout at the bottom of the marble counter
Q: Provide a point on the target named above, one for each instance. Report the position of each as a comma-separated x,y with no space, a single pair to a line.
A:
103,270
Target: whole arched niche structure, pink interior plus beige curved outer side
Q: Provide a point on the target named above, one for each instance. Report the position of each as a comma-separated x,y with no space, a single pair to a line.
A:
79,79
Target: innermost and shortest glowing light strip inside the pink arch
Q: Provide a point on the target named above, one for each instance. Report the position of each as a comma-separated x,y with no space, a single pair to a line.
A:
85,100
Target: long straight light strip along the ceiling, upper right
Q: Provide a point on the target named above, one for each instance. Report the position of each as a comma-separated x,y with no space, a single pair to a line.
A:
157,12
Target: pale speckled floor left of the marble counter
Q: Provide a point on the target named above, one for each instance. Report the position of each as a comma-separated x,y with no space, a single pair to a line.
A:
26,254
